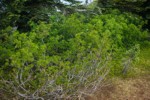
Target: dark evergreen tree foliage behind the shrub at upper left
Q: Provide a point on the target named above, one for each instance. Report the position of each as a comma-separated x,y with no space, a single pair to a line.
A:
18,13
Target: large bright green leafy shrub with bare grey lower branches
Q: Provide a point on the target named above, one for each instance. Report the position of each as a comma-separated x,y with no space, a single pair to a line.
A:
65,58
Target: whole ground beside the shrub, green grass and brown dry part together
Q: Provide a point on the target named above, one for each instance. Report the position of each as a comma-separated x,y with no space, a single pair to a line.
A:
135,87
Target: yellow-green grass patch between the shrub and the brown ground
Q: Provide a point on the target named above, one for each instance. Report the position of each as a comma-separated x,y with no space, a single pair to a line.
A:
141,67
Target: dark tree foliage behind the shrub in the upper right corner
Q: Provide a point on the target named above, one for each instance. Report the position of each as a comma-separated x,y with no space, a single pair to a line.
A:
140,7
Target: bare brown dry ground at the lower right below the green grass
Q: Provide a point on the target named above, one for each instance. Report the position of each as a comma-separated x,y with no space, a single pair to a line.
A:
124,89
